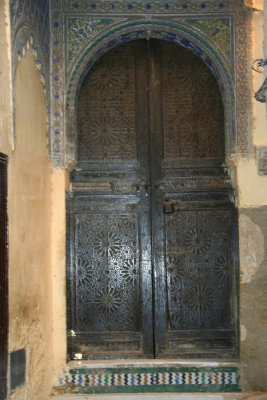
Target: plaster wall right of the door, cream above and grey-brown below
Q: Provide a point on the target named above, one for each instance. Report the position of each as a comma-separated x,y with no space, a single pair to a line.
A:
252,199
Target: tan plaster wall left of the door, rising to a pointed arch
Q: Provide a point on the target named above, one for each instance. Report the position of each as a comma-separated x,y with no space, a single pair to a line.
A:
29,211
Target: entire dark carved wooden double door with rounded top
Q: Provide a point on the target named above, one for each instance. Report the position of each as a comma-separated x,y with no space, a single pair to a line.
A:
152,253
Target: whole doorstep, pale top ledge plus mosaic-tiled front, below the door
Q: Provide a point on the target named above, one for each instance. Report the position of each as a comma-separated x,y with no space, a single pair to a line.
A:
147,376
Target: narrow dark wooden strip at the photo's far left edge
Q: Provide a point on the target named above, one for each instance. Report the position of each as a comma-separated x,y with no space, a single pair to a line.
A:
3,277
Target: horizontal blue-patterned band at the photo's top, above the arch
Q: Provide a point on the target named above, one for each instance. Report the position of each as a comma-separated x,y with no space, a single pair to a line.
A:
128,6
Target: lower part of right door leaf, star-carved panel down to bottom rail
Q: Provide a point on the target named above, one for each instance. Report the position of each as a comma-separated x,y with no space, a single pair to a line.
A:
199,273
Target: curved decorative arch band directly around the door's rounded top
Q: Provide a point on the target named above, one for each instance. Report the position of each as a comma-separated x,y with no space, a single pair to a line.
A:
139,29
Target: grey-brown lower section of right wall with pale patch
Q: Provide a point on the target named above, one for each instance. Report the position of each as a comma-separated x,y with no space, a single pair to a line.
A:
253,297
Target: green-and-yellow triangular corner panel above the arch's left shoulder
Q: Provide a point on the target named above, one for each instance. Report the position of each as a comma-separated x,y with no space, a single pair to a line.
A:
80,32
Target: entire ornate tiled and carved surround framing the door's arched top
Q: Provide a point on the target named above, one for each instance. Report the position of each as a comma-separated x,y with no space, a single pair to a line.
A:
90,28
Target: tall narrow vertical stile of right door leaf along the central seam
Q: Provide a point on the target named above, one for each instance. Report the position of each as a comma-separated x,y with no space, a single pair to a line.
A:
156,156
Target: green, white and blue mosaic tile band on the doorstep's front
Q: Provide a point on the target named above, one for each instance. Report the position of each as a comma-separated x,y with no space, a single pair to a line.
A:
152,379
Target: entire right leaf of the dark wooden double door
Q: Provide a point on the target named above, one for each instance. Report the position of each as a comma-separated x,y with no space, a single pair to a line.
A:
192,224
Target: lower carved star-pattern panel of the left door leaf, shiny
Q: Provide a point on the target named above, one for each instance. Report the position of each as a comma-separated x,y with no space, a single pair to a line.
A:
107,270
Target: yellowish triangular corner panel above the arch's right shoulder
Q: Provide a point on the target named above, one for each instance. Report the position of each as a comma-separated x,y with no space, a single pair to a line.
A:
218,30
